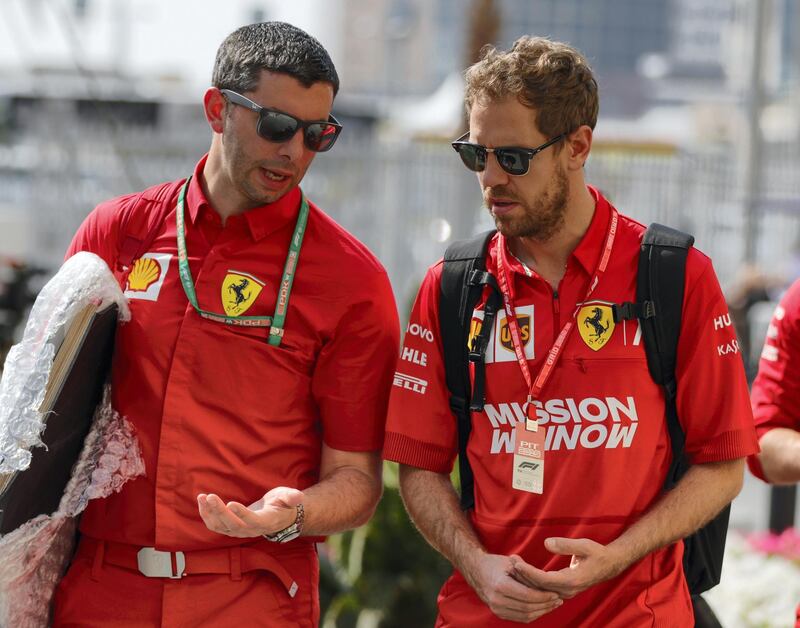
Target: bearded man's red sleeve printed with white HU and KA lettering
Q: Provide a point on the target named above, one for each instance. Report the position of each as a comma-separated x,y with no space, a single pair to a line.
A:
713,402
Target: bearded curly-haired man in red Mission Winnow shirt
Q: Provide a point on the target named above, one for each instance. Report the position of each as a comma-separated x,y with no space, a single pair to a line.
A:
570,526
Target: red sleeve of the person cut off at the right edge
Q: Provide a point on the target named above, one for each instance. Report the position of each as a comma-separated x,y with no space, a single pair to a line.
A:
775,398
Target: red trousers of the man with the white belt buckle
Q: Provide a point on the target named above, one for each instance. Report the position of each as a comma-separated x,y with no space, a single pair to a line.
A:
96,593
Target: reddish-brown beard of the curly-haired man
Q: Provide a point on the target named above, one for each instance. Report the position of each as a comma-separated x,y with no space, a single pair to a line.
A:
541,218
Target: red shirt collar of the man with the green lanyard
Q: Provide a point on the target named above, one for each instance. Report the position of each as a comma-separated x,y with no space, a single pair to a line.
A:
260,221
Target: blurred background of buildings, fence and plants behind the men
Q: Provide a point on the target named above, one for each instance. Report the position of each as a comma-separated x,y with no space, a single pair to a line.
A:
699,129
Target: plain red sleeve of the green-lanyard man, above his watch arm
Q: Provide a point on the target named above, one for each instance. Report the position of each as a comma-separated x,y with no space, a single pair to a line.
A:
354,370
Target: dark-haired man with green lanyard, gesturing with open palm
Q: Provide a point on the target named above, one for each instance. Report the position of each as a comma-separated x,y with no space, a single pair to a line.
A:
255,369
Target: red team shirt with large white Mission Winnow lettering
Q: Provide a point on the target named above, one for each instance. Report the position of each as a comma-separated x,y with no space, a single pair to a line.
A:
607,447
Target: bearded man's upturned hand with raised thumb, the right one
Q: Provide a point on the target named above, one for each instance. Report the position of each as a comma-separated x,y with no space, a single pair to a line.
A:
591,563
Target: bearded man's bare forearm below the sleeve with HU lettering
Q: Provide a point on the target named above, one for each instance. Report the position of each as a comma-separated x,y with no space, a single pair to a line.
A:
696,499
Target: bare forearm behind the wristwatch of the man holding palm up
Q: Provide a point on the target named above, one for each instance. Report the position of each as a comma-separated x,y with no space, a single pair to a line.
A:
343,500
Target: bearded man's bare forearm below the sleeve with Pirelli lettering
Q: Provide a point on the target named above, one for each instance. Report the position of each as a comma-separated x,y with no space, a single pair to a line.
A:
433,506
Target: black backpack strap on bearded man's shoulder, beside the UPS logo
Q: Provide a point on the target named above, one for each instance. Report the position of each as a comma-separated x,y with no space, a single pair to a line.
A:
463,280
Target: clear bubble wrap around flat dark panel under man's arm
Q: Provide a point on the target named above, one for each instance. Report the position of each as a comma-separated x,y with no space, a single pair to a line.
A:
33,557
